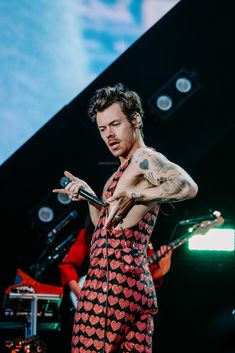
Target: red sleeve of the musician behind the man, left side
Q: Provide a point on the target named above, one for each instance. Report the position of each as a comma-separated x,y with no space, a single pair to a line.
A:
74,258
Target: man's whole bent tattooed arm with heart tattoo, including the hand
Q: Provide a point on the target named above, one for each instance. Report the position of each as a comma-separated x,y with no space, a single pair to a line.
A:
154,178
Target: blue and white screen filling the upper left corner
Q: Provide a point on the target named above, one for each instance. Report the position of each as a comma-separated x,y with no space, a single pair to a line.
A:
51,50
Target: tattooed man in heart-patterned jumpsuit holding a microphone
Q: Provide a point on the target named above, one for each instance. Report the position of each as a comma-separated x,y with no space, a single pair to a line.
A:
117,302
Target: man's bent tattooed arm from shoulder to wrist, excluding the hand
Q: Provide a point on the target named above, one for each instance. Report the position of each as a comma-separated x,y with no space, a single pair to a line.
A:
168,181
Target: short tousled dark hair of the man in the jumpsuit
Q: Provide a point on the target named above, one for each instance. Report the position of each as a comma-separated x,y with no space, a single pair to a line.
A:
130,102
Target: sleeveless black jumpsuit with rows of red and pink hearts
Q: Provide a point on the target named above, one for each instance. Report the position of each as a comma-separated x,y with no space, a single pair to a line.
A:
118,302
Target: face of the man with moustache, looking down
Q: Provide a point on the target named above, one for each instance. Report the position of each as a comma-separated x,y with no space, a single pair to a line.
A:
116,130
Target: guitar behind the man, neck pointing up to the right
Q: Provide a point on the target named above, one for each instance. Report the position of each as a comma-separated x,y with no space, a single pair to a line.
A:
201,228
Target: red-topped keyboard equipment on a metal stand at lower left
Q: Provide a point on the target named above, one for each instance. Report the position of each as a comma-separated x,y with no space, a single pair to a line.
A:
29,304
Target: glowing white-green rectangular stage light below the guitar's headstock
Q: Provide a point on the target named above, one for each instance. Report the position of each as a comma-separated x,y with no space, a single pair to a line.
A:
215,239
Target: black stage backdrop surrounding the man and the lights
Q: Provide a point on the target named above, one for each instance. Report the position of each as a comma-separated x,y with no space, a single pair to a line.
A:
197,298
